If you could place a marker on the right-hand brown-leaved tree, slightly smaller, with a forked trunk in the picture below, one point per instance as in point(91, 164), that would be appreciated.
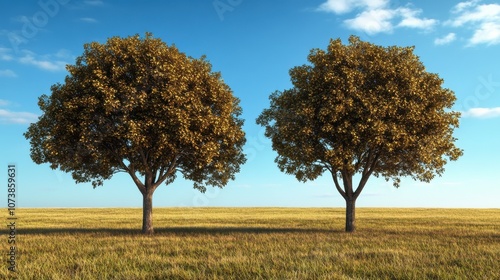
point(362, 109)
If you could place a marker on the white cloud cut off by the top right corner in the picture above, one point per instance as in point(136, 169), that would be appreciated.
point(483, 19)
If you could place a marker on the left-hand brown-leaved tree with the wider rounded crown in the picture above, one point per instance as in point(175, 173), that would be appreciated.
point(139, 106)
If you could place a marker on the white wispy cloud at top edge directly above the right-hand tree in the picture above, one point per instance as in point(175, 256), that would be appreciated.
point(376, 16)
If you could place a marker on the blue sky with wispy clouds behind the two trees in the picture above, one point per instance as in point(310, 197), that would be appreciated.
point(254, 44)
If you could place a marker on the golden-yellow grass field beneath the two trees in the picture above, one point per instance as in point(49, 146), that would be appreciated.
point(257, 243)
